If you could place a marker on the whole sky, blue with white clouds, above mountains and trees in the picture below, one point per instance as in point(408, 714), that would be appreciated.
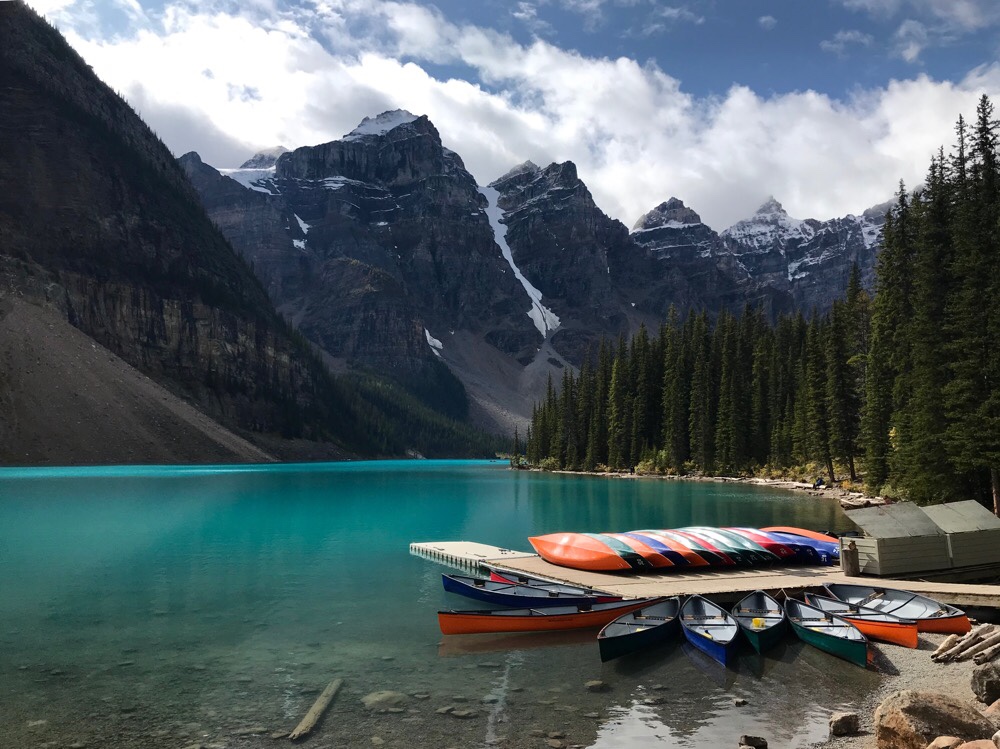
point(824, 104)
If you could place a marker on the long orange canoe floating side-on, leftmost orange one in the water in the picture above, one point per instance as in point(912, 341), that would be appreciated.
point(537, 620)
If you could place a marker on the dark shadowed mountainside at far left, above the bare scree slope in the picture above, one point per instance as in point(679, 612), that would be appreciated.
point(97, 219)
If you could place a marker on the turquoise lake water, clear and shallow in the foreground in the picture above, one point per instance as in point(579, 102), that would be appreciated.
point(166, 607)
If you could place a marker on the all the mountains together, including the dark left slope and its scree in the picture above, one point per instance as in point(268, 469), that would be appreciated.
point(362, 297)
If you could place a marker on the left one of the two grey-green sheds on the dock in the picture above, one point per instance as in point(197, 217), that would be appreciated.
point(900, 539)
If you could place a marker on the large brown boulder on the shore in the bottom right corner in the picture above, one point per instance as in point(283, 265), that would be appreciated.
point(912, 720)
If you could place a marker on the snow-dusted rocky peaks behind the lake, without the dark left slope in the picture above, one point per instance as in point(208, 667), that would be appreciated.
point(381, 248)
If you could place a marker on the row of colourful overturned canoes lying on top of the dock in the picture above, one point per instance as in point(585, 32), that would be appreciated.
point(687, 548)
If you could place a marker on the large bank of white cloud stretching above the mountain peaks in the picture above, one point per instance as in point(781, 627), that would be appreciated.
point(226, 84)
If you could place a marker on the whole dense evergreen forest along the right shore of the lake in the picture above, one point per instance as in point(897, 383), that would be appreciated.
point(900, 389)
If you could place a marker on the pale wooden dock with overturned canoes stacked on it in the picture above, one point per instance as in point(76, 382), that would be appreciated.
point(725, 586)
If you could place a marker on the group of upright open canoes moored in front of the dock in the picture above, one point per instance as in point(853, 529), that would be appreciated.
point(839, 622)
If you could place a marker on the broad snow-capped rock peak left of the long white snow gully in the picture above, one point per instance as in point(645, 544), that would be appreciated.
point(374, 246)
